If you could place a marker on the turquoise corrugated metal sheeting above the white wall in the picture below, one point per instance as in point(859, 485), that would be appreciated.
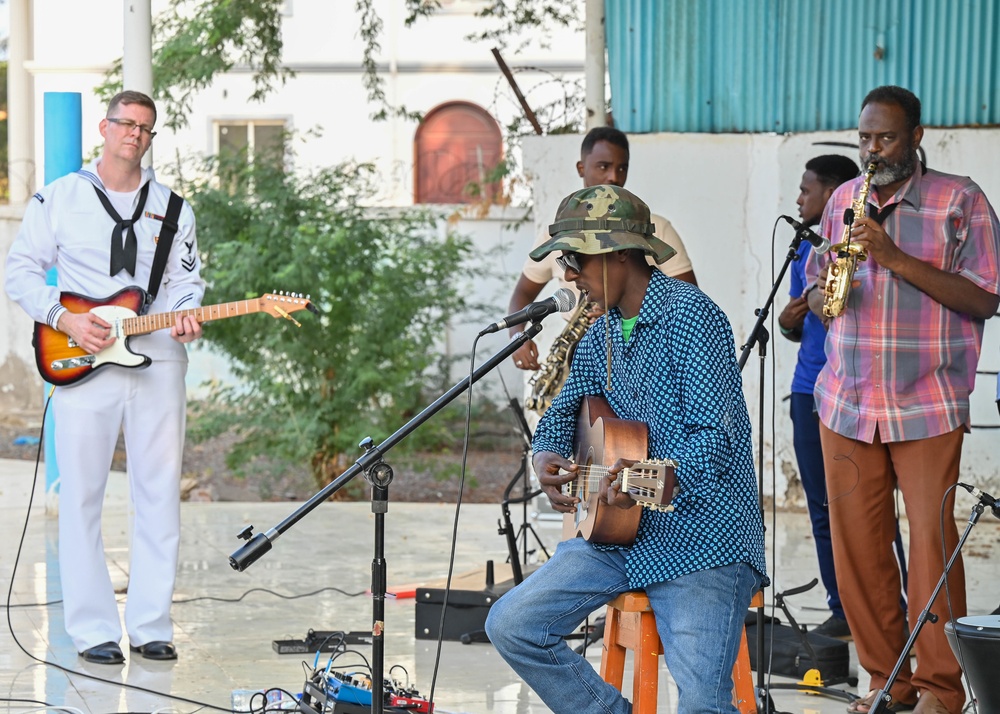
point(798, 65)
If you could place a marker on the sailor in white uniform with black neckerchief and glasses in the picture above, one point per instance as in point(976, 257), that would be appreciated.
point(70, 226)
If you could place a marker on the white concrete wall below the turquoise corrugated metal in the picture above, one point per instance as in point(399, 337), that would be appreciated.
point(723, 194)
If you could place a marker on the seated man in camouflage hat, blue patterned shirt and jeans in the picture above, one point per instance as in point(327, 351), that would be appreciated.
point(665, 357)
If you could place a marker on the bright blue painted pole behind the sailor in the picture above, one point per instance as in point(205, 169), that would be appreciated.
point(63, 155)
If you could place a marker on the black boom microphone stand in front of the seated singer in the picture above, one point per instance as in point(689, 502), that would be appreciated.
point(379, 475)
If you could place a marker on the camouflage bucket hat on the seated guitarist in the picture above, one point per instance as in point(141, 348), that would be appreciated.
point(601, 219)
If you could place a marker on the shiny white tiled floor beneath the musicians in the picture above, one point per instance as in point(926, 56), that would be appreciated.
point(227, 645)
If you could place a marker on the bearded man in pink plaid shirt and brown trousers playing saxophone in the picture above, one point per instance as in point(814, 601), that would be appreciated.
point(893, 398)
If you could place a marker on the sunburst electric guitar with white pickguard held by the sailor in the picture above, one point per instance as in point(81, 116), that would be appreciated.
point(61, 361)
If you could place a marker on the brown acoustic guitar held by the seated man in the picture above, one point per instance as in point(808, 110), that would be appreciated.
point(601, 439)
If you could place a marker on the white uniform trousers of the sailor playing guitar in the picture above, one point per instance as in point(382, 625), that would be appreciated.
point(150, 405)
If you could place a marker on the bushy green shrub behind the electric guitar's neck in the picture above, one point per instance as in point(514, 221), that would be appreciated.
point(384, 285)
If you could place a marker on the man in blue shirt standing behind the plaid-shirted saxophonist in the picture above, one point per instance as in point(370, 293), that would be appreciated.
point(822, 175)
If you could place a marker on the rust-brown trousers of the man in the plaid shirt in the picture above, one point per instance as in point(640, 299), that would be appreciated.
point(861, 480)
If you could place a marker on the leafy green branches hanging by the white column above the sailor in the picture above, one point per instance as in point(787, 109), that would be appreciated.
point(197, 39)
